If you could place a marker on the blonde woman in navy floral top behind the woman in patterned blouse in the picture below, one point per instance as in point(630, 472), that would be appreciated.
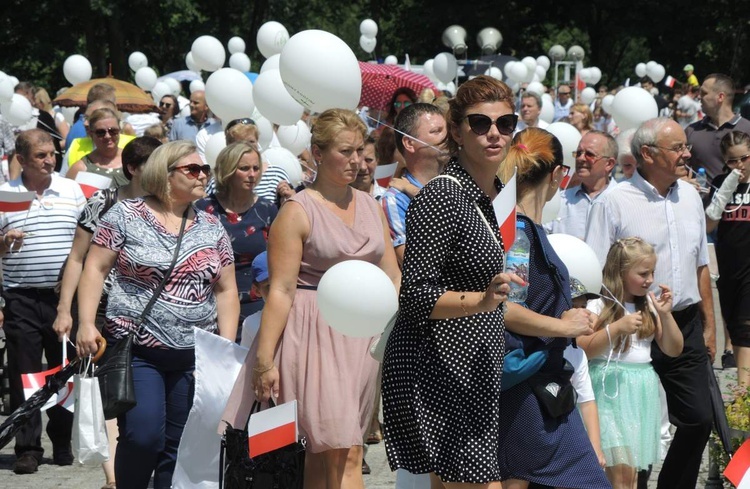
point(246, 217)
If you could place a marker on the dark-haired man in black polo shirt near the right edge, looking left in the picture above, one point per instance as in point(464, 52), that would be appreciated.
point(717, 95)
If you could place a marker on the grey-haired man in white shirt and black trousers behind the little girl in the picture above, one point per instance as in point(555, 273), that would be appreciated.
point(658, 206)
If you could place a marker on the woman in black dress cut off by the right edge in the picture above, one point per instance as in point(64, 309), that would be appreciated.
point(728, 211)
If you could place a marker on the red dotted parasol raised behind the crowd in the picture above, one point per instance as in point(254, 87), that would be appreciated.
point(380, 81)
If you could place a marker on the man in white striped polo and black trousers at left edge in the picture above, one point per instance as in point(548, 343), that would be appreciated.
point(34, 246)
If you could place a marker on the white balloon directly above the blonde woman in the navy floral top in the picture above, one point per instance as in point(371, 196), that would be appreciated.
point(229, 94)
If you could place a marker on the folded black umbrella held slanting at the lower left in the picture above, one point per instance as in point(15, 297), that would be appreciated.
point(33, 404)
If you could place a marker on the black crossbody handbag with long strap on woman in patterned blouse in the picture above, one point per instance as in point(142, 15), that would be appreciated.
point(115, 372)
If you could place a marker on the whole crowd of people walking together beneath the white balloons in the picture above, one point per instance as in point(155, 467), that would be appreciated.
point(176, 244)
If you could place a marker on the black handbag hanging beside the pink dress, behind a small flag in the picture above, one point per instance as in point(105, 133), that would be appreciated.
point(280, 469)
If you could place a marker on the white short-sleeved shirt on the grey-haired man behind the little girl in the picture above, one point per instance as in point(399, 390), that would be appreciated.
point(675, 225)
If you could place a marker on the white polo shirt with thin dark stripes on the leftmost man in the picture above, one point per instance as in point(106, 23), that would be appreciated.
point(49, 226)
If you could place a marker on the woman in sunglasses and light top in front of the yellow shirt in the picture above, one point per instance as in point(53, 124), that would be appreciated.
point(106, 159)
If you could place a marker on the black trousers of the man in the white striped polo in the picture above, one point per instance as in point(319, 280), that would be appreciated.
point(29, 315)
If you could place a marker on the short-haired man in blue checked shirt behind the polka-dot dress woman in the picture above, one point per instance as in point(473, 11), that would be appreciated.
point(420, 133)
